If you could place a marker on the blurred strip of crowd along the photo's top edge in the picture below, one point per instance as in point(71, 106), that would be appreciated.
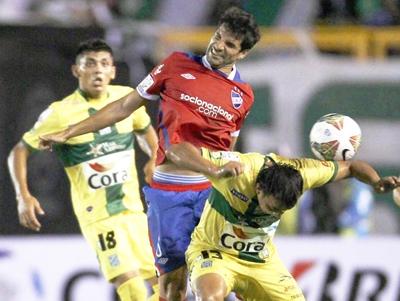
point(268, 13)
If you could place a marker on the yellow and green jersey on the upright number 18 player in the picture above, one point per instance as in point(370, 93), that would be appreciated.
point(101, 165)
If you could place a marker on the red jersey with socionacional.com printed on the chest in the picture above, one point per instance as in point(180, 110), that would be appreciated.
point(198, 104)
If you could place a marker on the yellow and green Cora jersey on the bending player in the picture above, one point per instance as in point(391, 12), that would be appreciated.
point(232, 220)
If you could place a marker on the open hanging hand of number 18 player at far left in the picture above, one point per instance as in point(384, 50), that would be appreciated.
point(28, 208)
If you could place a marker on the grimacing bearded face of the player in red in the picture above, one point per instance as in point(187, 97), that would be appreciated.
point(224, 50)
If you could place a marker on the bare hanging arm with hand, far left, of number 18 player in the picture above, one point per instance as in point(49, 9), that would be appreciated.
point(28, 205)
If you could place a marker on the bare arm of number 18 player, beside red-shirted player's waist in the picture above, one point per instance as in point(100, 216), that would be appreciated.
point(148, 143)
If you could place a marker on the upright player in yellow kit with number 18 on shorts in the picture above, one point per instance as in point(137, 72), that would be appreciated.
point(102, 173)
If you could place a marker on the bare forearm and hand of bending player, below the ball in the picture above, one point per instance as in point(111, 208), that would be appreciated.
point(364, 172)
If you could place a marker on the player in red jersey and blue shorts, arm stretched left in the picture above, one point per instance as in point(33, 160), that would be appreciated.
point(202, 101)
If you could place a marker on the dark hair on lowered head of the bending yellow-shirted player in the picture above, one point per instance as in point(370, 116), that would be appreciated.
point(281, 181)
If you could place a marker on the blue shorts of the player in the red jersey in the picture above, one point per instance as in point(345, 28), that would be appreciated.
point(172, 217)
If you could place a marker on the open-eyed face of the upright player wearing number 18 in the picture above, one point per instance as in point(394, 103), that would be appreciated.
point(94, 70)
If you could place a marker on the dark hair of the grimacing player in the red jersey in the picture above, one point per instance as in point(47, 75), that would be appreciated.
point(242, 24)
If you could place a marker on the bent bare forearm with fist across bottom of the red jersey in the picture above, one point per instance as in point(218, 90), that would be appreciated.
point(187, 156)
